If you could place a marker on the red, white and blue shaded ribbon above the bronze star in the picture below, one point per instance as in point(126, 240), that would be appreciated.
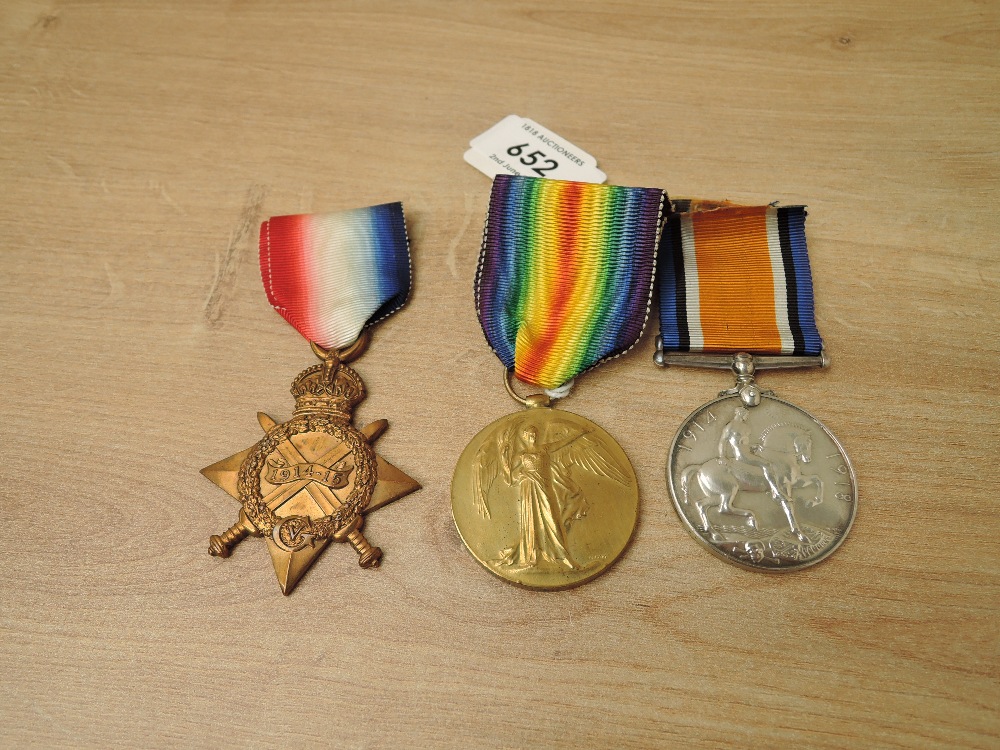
point(332, 275)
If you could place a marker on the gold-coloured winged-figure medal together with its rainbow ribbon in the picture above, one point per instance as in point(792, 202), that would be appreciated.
point(544, 498)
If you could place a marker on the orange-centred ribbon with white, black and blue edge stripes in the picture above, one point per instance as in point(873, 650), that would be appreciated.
point(737, 279)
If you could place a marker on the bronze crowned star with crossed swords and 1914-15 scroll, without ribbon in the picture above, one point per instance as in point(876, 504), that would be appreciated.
point(310, 480)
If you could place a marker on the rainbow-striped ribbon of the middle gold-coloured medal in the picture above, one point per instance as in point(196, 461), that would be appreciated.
point(565, 274)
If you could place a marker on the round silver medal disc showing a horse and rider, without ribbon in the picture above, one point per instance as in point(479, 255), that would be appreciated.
point(766, 487)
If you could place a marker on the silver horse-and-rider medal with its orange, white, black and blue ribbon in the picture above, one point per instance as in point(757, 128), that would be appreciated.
point(760, 482)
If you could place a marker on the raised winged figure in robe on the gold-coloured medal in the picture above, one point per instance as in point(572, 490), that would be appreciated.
point(542, 468)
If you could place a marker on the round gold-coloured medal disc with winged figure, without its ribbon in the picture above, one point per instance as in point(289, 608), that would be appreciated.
point(545, 499)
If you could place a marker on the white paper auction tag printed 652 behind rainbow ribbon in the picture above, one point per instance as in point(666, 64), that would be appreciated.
point(519, 146)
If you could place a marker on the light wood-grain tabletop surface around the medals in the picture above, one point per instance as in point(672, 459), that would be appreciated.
point(141, 145)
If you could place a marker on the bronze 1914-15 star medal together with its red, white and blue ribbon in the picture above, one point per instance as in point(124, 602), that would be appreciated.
point(313, 478)
